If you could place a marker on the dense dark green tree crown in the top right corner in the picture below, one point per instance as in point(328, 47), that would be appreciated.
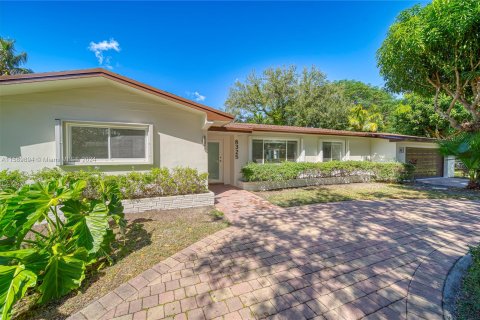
point(434, 51)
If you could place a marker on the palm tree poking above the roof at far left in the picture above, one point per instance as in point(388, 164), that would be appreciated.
point(10, 62)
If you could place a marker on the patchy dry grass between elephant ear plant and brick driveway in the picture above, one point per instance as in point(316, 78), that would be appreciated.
point(151, 237)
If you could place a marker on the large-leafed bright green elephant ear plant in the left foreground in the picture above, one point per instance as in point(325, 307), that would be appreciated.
point(77, 235)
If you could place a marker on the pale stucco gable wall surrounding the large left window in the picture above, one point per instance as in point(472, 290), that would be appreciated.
point(27, 126)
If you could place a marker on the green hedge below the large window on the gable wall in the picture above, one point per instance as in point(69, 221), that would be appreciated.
point(133, 185)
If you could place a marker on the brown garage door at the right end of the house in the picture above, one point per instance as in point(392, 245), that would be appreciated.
point(428, 162)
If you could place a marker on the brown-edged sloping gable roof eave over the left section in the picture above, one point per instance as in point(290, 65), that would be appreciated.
point(212, 114)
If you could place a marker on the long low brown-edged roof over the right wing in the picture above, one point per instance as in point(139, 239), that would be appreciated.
point(253, 127)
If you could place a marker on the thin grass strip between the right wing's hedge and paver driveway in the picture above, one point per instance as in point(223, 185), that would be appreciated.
point(360, 191)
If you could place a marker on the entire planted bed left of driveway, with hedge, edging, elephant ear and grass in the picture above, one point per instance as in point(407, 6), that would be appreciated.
point(85, 247)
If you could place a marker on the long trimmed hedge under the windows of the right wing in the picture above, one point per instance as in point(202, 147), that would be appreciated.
point(379, 171)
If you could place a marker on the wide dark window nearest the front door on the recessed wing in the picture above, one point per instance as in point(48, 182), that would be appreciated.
point(274, 151)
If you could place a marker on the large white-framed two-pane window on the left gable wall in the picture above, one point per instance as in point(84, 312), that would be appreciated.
point(98, 142)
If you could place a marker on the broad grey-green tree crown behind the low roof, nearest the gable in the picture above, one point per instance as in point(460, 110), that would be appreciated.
point(285, 96)
